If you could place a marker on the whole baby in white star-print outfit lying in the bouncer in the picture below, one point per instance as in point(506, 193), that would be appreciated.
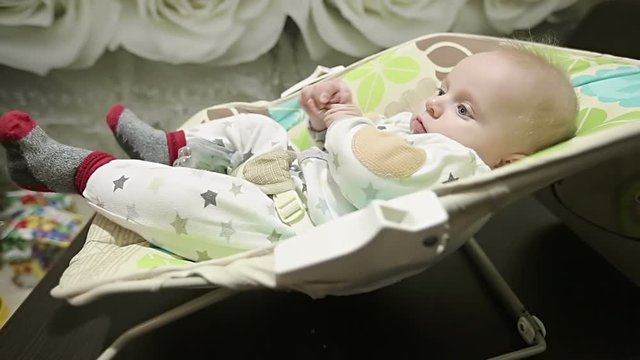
point(492, 109)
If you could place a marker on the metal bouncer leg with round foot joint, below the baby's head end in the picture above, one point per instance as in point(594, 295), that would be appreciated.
point(530, 327)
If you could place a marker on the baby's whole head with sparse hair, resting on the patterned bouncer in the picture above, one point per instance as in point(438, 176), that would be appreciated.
point(505, 104)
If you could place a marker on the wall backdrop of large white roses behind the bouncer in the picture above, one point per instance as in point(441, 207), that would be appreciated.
point(68, 61)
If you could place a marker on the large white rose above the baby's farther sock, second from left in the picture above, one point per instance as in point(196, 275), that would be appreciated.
point(225, 32)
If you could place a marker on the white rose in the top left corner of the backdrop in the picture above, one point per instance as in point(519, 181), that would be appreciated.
point(40, 35)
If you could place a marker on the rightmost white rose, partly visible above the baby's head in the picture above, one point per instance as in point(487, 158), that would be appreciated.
point(509, 15)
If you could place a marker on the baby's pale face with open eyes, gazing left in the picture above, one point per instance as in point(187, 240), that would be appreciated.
point(477, 104)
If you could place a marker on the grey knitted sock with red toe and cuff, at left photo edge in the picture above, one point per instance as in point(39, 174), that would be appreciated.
point(37, 162)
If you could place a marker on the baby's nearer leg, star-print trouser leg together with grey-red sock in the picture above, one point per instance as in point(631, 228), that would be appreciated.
point(195, 214)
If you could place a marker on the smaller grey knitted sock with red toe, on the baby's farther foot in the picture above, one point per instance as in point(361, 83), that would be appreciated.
point(141, 141)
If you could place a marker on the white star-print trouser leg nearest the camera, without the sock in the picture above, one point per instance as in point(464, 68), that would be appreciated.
point(193, 213)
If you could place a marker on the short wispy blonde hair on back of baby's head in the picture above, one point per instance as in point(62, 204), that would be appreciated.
point(553, 117)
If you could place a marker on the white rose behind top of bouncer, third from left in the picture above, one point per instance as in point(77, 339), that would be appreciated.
point(362, 27)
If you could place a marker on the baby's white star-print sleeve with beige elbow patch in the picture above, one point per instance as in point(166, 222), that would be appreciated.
point(367, 163)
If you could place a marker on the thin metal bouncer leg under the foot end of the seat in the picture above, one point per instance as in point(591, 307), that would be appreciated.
point(156, 322)
